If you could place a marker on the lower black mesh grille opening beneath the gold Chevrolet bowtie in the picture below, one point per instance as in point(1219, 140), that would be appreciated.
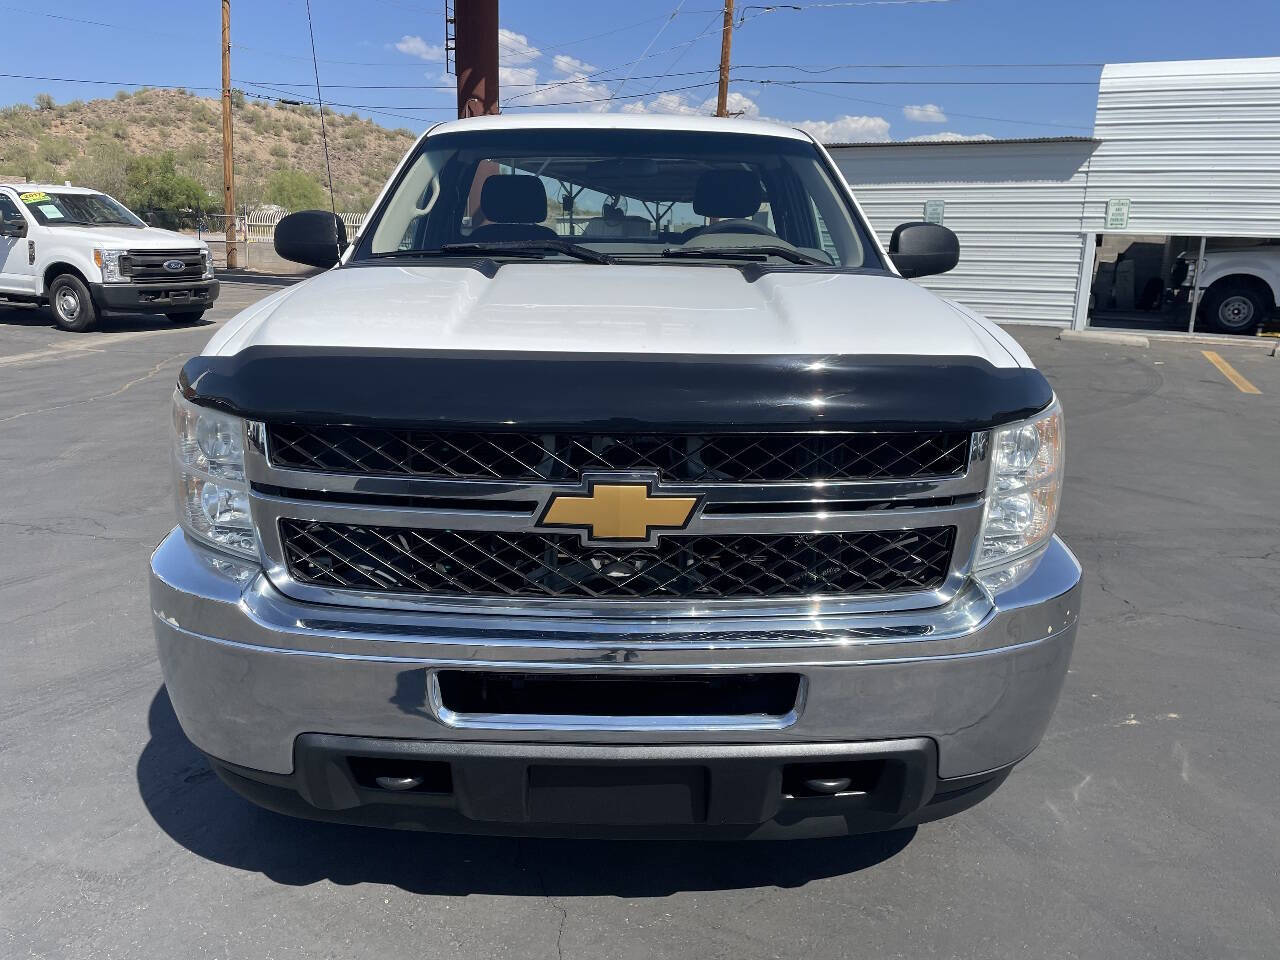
point(527, 565)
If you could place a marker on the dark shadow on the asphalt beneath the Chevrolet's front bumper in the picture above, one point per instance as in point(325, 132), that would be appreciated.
point(190, 804)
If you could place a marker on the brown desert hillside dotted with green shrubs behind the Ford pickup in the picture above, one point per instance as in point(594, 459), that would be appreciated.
point(163, 148)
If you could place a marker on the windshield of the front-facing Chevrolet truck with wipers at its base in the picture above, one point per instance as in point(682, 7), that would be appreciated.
point(632, 195)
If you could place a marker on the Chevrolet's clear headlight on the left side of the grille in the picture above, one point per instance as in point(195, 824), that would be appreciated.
point(209, 461)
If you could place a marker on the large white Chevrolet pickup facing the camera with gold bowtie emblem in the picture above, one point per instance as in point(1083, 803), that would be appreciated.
point(615, 482)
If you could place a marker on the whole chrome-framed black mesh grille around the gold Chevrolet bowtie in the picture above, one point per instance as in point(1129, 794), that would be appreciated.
point(796, 523)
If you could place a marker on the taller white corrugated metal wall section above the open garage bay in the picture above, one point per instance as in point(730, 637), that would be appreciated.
point(1195, 145)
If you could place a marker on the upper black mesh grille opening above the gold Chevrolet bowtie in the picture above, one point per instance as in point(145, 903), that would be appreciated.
point(540, 458)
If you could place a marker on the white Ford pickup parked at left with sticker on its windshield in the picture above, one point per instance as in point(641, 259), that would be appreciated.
point(86, 255)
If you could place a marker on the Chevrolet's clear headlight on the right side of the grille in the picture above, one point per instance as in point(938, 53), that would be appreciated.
point(1025, 491)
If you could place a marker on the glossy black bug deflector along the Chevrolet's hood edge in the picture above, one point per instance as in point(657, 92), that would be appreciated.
point(464, 391)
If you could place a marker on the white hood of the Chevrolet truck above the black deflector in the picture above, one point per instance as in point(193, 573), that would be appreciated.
point(597, 309)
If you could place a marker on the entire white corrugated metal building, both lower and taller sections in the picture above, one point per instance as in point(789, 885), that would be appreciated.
point(1185, 149)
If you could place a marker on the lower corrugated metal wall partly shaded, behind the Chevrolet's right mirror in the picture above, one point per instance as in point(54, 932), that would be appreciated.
point(1016, 207)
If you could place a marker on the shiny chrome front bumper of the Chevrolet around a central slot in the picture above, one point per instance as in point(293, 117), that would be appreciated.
point(250, 670)
